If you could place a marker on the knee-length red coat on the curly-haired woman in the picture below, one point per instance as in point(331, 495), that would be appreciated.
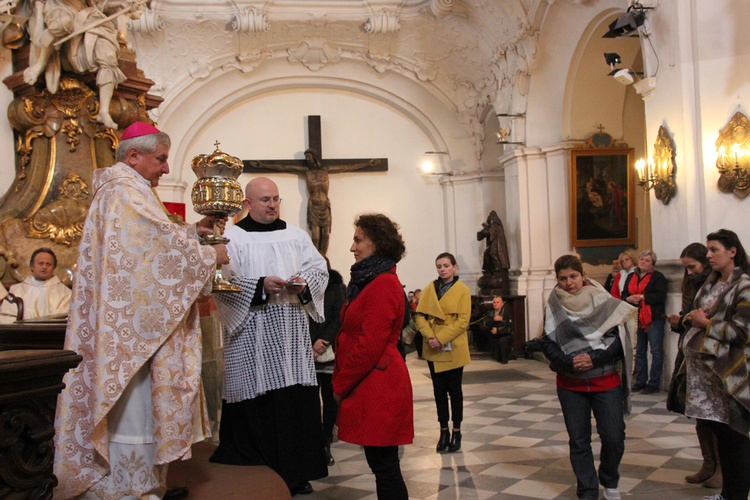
point(369, 373)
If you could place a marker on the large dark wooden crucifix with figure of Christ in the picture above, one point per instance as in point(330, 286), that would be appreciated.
point(316, 171)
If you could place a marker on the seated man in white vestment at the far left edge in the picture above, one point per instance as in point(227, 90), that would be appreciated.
point(42, 292)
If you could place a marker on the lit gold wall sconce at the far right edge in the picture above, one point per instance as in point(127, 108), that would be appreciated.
point(733, 158)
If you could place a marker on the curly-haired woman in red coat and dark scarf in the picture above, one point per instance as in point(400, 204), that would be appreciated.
point(370, 379)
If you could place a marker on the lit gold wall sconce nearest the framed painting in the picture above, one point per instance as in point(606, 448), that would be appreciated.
point(658, 173)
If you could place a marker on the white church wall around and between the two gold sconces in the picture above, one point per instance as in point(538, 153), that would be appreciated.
point(701, 83)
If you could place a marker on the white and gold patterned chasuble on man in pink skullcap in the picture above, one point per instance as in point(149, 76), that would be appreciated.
point(134, 302)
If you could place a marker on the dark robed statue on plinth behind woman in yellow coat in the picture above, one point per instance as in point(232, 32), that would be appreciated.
point(495, 262)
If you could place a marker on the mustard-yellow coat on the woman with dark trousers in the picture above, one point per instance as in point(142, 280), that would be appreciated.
point(447, 319)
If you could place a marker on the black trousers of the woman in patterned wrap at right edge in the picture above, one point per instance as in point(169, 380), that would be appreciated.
point(734, 453)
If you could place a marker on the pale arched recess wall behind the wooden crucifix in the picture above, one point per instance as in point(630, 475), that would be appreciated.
point(270, 123)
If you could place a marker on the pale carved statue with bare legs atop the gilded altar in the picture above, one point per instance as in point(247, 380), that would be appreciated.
point(79, 35)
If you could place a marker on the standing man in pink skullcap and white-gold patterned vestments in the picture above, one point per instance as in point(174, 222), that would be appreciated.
point(134, 403)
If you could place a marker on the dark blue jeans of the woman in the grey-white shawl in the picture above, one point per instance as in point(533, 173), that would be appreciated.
point(610, 424)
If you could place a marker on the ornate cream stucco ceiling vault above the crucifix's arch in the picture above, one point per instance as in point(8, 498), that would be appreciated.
point(469, 53)
